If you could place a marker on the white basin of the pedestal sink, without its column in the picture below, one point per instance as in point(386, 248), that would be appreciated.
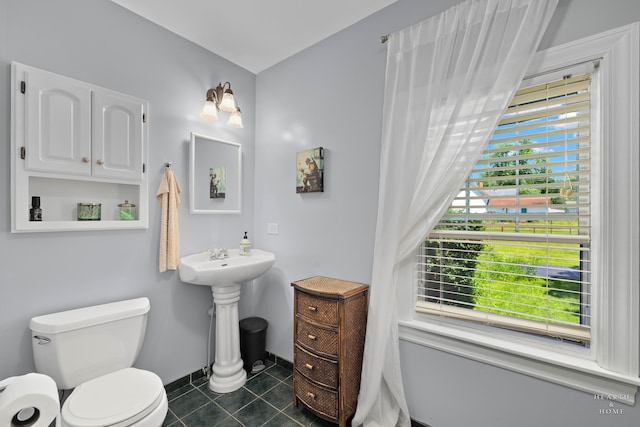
point(198, 269)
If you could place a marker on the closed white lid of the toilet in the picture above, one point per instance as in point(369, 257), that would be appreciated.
point(116, 399)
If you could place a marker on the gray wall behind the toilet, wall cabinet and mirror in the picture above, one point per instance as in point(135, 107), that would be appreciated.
point(101, 43)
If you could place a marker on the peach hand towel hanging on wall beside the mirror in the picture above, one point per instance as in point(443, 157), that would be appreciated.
point(169, 197)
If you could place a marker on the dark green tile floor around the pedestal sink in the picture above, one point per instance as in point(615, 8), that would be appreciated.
point(265, 400)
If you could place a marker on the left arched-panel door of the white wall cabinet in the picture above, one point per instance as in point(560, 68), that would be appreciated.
point(57, 123)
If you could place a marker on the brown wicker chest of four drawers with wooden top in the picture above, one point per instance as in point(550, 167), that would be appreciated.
point(330, 318)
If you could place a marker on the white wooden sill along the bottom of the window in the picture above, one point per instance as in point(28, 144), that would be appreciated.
point(570, 370)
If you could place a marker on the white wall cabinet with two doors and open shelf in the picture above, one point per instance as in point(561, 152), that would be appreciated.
point(73, 142)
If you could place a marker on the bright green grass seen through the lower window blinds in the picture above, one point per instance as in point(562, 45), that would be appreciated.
point(507, 279)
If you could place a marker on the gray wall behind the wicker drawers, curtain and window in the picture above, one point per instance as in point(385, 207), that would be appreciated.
point(331, 95)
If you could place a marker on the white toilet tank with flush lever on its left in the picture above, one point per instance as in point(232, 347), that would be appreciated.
point(75, 346)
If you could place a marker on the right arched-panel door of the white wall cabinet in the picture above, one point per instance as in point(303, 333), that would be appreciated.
point(117, 136)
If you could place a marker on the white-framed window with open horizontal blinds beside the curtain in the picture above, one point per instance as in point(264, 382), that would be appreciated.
point(601, 236)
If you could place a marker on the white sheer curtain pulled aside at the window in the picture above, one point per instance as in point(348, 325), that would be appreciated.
point(449, 80)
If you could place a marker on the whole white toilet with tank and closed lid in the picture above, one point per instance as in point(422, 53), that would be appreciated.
point(92, 350)
